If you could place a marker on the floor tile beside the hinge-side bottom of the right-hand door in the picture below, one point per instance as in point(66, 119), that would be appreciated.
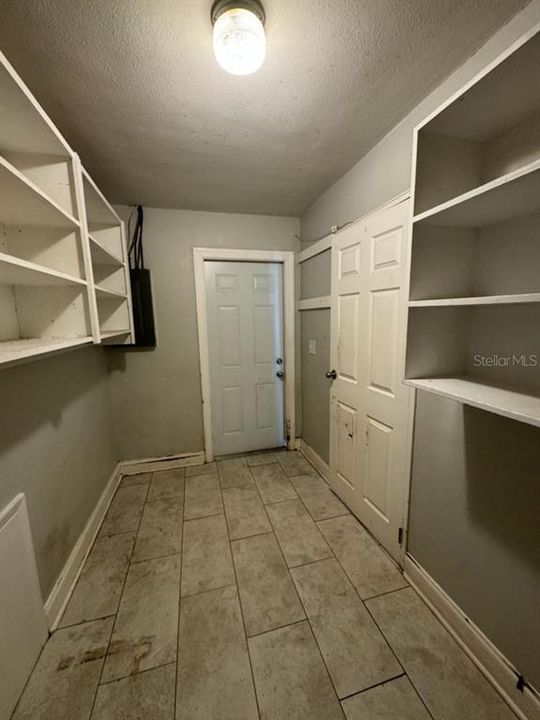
point(369, 568)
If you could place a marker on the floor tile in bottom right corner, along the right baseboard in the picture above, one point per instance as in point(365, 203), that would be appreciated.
point(447, 680)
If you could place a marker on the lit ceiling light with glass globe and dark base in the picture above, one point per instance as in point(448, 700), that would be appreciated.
point(239, 37)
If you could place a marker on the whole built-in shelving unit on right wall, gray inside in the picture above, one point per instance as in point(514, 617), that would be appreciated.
point(474, 308)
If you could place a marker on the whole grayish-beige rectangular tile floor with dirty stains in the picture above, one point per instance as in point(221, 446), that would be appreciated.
point(244, 589)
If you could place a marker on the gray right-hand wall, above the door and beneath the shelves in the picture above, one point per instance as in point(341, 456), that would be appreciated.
point(470, 525)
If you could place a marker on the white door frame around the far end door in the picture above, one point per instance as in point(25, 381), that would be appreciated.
point(286, 258)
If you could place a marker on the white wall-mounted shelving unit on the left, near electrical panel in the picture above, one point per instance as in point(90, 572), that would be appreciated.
point(49, 301)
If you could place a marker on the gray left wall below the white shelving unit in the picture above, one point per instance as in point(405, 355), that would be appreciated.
point(56, 445)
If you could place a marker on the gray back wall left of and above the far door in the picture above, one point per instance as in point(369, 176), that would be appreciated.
point(156, 394)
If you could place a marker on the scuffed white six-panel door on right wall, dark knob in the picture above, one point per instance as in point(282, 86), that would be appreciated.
point(371, 409)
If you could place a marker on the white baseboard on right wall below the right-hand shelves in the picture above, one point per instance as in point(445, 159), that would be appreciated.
point(489, 660)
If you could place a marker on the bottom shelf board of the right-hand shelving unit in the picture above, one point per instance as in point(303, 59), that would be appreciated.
point(511, 403)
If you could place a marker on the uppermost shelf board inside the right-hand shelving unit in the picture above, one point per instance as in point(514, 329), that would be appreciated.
point(513, 194)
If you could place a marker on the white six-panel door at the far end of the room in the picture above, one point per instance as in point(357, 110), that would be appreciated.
point(245, 339)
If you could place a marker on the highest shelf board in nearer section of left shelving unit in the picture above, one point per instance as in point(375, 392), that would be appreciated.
point(23, 203)
